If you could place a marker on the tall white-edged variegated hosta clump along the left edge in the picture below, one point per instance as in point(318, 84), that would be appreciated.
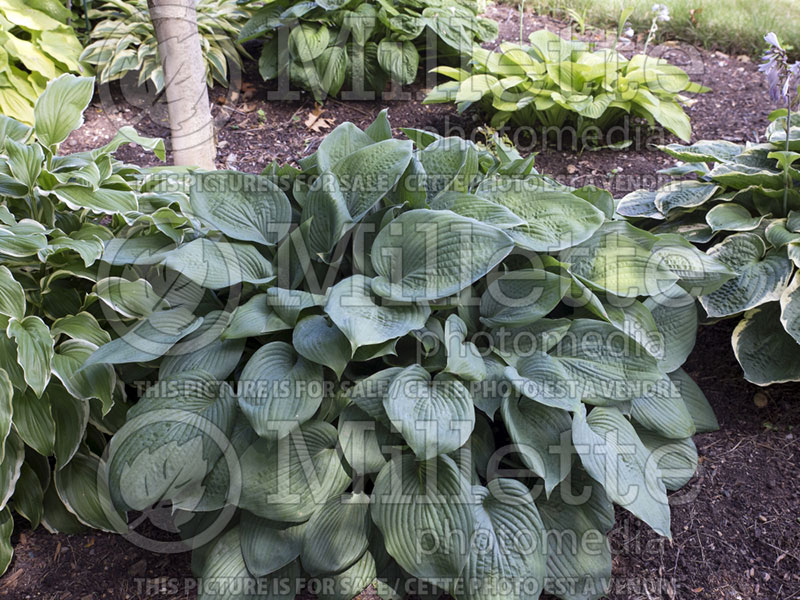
point(56, 213)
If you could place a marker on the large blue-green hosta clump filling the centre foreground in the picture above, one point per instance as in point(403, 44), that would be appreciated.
point(383, 365)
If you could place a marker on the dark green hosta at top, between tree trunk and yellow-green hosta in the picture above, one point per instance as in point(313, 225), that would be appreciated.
point(362, 44)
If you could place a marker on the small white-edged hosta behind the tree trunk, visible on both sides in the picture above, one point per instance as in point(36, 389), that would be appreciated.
point(124, 41)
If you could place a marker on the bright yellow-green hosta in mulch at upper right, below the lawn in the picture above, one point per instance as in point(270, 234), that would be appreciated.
point(555, 83)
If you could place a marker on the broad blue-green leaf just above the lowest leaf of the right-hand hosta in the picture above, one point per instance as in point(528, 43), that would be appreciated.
point(762, 276)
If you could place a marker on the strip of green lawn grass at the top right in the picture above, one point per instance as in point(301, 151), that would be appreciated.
point(732, 26)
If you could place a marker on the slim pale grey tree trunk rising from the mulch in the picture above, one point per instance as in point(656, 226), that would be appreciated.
point(190, 121)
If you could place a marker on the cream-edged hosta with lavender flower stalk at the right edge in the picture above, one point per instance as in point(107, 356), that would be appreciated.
point(743, 201)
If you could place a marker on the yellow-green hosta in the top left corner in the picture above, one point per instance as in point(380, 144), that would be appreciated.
point(36, 46)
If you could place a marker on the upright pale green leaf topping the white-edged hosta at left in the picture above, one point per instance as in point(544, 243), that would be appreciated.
point(59, 109)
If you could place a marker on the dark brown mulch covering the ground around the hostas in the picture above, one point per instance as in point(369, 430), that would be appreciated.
point(736, 525)
